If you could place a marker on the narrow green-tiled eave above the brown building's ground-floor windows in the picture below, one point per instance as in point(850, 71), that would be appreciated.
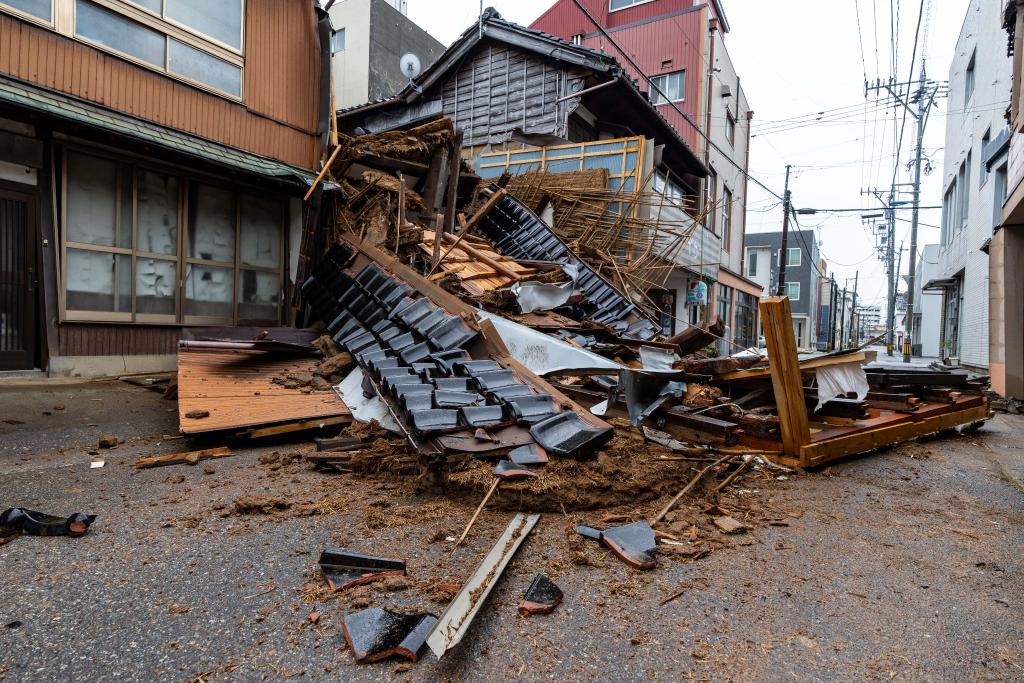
point(72, 109)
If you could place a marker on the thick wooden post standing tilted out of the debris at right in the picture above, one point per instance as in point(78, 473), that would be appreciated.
point(777, 317)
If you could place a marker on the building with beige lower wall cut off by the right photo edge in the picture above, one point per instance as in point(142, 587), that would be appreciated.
point(1006, 277)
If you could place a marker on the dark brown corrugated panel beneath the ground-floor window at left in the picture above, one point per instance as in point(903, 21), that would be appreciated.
point(89, 339)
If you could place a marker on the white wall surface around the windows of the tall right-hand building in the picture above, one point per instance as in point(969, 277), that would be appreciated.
point(969, 118)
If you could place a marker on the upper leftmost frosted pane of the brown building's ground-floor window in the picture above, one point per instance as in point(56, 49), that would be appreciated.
point(93, 203)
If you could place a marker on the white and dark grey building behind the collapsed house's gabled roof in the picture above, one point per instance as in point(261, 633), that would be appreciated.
point(368, 40)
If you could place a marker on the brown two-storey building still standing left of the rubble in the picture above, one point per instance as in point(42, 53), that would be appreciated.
point(154, 155)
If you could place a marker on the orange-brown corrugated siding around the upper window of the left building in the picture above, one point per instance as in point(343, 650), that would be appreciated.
point(285, 92)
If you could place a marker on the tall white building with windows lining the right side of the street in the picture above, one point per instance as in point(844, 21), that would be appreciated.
point(974, 183)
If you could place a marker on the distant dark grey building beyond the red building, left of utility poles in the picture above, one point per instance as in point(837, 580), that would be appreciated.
point(803, 279)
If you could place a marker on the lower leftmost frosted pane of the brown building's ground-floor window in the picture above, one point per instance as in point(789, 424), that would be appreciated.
point(99, 282)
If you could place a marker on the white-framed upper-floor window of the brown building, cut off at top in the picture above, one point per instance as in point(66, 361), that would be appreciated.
point(198, 41)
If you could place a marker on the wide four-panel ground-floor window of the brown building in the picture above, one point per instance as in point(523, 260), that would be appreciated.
point(143, 245)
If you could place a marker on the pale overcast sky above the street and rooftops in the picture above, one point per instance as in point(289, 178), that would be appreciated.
point(795, 60)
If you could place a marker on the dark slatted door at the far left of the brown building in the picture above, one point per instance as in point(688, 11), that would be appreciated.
point(19, 301)
